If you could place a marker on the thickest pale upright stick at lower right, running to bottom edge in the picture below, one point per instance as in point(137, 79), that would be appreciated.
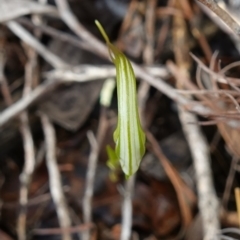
point(207, 200)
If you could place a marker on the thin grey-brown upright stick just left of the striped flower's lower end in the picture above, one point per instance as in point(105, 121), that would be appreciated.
point(91, 172)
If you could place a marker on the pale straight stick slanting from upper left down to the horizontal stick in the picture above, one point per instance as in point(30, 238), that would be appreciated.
point(28, 38)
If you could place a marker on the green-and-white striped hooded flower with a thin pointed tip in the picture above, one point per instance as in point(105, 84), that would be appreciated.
point(129, 135)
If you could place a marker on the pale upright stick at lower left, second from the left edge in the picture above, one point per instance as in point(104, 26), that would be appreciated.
point(55, 184)
